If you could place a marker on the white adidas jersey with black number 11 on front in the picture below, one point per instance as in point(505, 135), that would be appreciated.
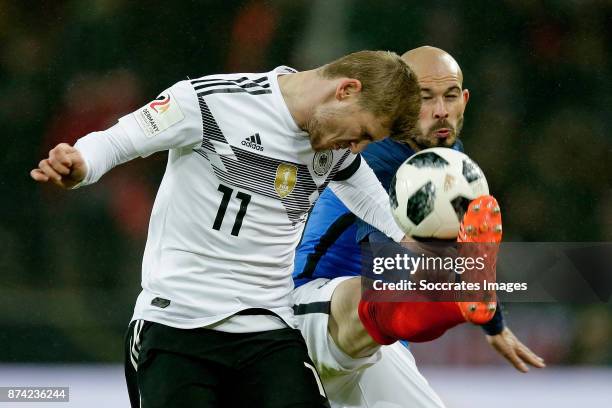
point(240, 179)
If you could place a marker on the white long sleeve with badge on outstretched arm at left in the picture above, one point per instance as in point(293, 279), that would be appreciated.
point(172, 120)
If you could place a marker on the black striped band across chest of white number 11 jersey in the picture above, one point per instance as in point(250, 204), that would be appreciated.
point(256, 173)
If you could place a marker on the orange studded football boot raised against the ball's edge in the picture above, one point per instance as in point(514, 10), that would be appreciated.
point(481, 223)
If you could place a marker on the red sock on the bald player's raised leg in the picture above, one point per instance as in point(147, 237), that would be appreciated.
point(417, 322)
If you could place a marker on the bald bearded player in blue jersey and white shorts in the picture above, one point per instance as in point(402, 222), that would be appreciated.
point(328, 264)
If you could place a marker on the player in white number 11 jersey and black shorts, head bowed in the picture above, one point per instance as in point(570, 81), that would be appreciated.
point(248, 156)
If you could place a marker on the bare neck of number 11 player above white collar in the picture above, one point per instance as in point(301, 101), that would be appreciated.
point(302, 92)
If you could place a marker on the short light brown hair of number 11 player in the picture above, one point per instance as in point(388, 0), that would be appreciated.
point(389, 88)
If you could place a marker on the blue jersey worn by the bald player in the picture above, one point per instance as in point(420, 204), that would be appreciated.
point(330, 244)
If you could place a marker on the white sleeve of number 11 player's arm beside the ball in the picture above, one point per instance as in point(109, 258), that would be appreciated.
point(365, 197)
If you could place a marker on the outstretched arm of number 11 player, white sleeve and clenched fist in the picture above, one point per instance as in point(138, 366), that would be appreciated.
point(171, 121)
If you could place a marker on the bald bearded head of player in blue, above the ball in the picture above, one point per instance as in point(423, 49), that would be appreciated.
point(443, 98)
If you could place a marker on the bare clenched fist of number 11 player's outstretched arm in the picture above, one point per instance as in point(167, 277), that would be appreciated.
point(64, 167)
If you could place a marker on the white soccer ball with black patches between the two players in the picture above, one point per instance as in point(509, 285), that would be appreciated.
point(431, 191)
